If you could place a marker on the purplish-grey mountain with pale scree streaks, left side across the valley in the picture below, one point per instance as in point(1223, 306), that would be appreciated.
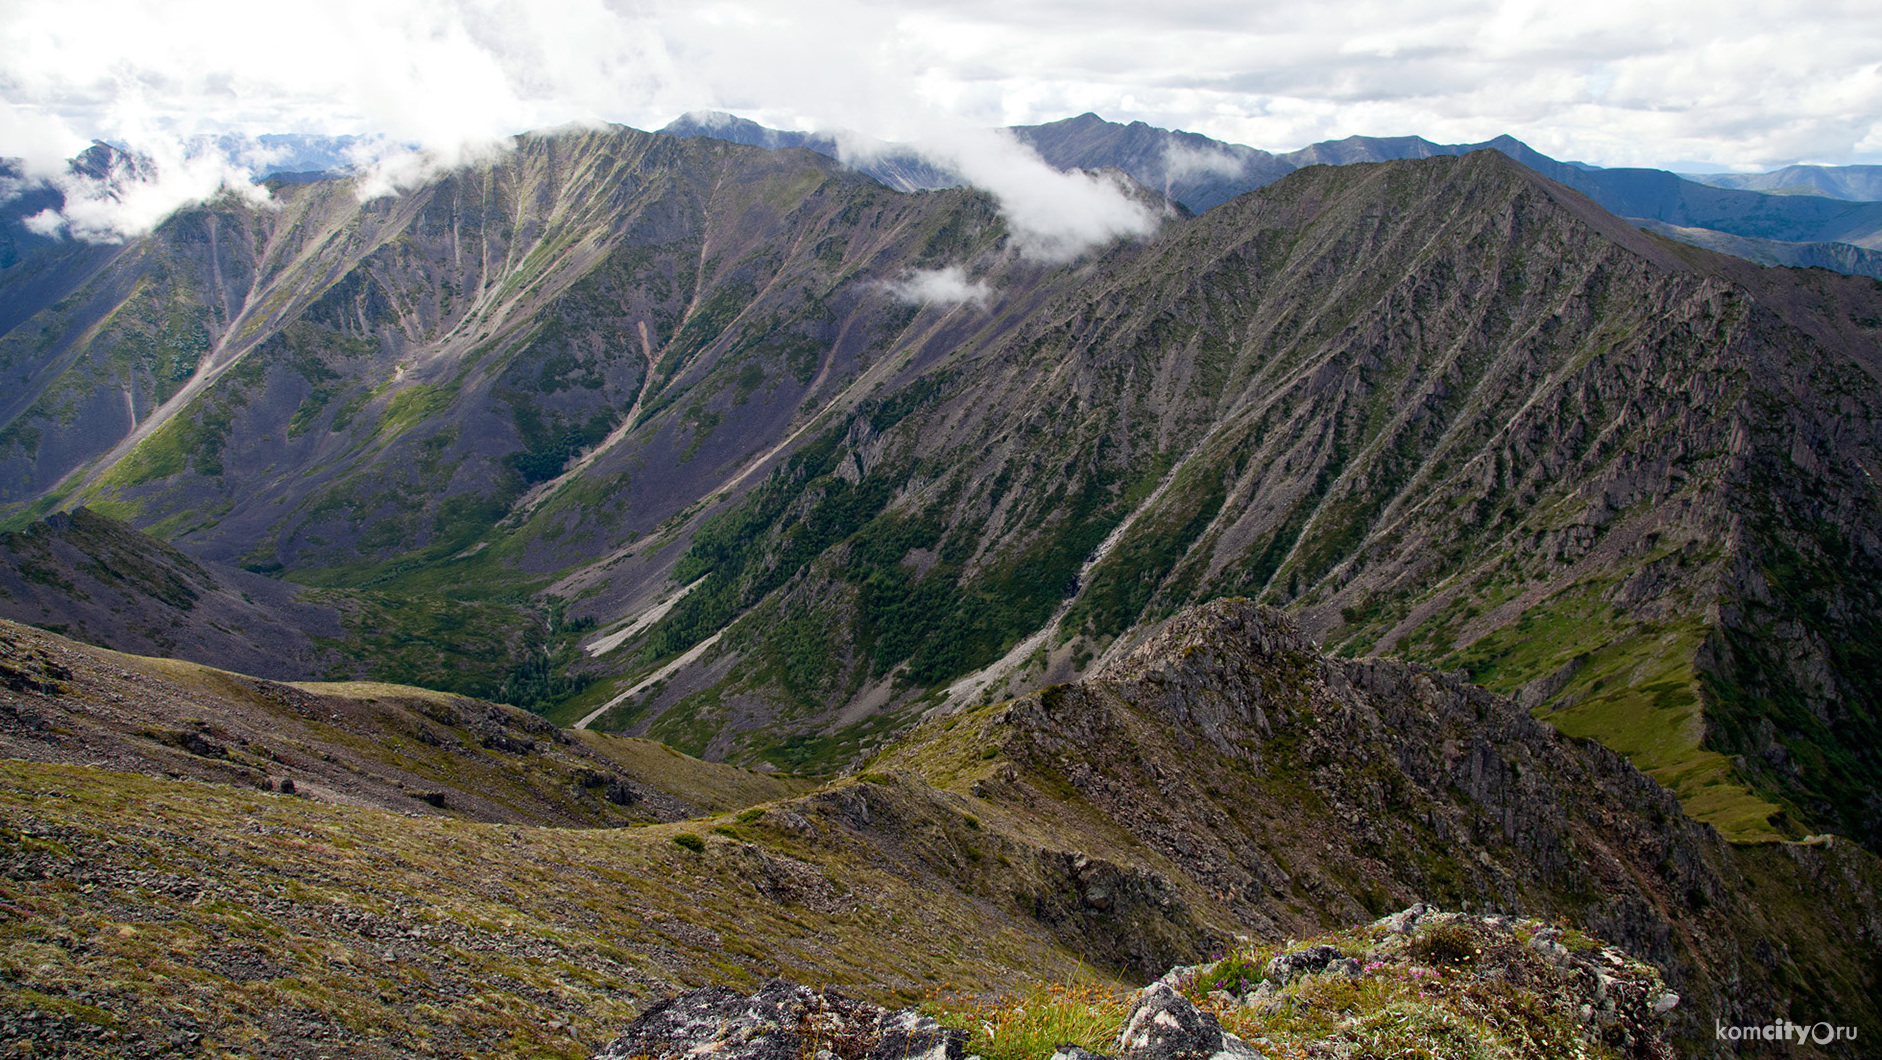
point(330, 379)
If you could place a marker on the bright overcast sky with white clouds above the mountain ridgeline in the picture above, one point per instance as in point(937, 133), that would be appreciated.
point(1619, 84)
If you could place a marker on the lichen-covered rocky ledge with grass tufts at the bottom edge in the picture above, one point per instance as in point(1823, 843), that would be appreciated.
point(1416, 984)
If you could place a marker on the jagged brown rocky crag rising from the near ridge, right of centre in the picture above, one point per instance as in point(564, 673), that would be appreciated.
point(1301, 792)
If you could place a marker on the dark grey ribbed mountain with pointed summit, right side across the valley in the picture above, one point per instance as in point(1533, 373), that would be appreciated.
point(1435, 408)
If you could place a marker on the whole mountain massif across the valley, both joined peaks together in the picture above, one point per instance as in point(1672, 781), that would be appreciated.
point(1441, 410)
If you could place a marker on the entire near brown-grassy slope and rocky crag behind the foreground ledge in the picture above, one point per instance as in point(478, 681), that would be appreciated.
point(1217, 780)
